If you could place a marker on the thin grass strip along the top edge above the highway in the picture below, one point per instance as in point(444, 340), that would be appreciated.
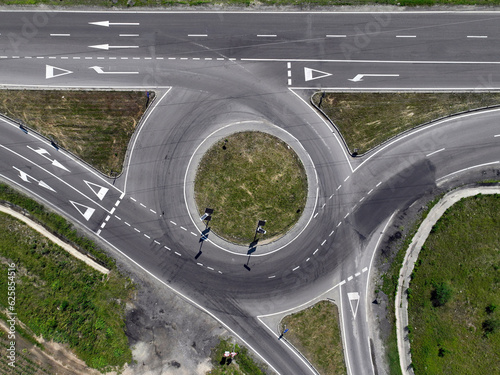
point(245, 3)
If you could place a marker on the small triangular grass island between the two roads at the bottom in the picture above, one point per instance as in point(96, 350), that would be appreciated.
point(315, 332)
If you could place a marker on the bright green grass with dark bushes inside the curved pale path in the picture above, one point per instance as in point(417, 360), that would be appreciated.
point(454, 290)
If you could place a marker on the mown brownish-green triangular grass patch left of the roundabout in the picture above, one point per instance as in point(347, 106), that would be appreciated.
point(94, 125)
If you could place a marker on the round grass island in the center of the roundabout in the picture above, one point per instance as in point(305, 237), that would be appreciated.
point(247, 177)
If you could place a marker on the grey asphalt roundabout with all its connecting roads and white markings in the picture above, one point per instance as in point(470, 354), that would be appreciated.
point(220, 72)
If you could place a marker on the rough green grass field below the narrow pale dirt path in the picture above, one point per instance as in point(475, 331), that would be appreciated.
point(63, 299)
